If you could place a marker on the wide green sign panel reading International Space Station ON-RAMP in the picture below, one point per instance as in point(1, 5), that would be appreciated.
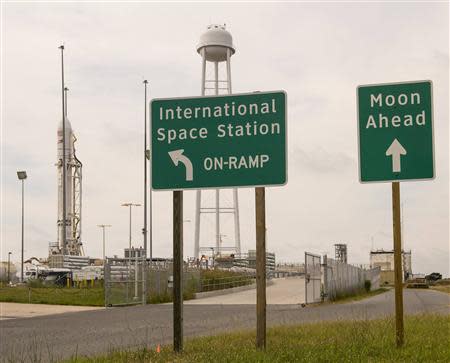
point(219, 141)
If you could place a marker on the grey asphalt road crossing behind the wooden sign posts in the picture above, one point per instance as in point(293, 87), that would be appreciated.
point(54, 337)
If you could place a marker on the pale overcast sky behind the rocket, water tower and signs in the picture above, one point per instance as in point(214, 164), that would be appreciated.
point(317, 52)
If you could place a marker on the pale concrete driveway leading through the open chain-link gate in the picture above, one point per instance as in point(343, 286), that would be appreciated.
point(282, 291)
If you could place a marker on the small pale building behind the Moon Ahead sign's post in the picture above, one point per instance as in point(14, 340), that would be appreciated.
point(385, 260)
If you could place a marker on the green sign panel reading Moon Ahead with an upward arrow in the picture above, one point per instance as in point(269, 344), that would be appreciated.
point(395, 134)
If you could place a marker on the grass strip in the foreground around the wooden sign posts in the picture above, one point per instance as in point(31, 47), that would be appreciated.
point(427, 339)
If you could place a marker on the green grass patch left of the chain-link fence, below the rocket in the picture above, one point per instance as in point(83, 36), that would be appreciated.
point(53, 295)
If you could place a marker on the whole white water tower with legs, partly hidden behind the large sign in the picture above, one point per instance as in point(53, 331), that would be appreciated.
point(216, 48)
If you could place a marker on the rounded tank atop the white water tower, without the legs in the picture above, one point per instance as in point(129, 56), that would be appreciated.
point(216, 40)
